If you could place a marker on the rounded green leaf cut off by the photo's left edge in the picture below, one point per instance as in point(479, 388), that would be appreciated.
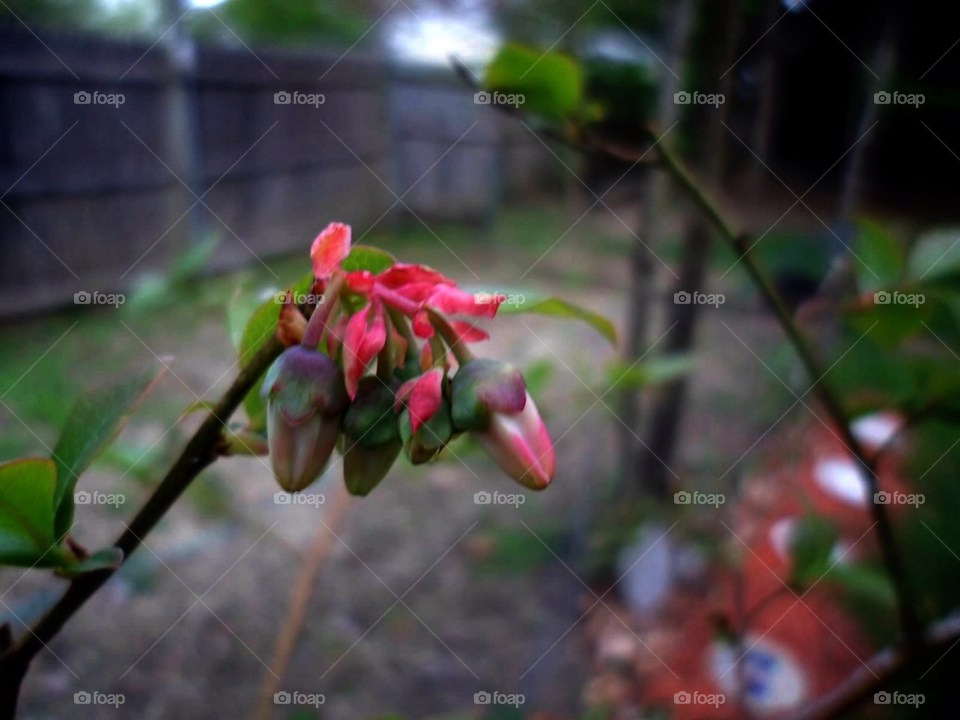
point(26, 512)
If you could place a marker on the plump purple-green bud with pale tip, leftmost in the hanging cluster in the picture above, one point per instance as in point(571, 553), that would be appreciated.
point(306, 398)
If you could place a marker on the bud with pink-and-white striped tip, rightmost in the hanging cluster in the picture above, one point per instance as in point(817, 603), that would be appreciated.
point(490, 399)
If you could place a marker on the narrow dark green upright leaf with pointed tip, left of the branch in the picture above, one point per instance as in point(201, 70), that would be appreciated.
point(96, 420)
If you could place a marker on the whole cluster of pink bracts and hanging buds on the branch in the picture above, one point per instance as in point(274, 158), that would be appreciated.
point(380, 367)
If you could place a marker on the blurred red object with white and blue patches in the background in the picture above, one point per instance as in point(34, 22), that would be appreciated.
point(799, 643)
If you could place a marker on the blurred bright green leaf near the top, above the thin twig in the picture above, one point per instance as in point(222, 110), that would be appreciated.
point(551, 83)
